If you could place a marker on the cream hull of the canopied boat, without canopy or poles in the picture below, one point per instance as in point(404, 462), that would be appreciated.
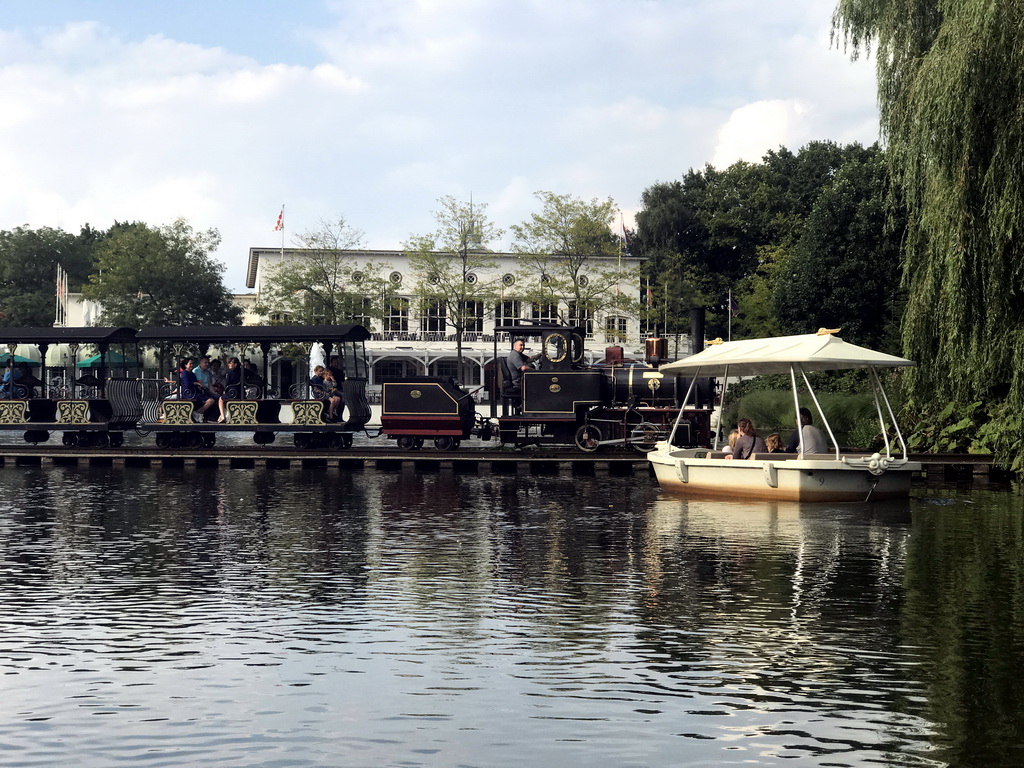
point(819, 480)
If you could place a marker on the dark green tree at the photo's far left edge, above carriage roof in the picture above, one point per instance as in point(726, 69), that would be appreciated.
point(28, 271)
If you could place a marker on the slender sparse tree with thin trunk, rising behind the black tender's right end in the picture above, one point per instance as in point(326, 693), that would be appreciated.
point(454, 269)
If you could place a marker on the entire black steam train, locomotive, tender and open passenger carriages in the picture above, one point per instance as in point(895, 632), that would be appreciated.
point(563, 401)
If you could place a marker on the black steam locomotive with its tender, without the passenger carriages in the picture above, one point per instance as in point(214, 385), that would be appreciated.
point(624, 404)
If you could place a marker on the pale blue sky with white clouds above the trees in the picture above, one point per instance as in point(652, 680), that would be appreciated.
point(225, 112)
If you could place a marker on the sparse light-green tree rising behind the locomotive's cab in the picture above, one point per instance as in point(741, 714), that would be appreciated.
point(571, 260)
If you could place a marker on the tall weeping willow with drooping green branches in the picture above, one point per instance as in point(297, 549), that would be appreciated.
point(951, 76)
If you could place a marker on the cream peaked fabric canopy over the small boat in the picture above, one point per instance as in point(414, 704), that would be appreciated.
point(821, 352)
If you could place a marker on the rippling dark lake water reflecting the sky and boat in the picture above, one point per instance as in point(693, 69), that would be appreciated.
point(290, 618)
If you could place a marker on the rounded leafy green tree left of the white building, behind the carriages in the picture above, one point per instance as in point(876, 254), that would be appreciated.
point(147, 276)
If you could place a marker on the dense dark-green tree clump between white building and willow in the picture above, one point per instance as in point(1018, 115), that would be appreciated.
point(742, 230)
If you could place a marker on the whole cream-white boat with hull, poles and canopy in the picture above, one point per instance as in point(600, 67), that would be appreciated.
point(835, 477)
